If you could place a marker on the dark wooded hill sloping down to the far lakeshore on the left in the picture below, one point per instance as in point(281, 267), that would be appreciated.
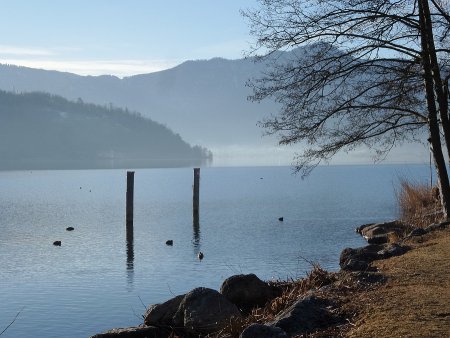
point(43, 131)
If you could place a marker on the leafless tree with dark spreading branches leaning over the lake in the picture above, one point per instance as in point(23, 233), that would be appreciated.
point(369, 72)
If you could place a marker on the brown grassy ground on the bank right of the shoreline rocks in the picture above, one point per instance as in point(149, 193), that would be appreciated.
point(414, 301)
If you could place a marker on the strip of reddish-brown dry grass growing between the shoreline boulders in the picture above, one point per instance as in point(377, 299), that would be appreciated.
point(291, 291)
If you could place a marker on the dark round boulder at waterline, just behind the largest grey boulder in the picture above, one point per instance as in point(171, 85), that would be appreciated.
point(247, 291)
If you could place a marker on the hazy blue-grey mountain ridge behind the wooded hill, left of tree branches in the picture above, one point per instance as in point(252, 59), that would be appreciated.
point(205, 101)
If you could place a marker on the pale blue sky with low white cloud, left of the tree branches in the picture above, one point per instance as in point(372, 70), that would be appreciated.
point(120, 37)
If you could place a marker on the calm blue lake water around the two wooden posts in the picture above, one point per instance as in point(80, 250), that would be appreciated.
point(97, 280)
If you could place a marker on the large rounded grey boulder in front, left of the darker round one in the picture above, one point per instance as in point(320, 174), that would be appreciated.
point(204, 310)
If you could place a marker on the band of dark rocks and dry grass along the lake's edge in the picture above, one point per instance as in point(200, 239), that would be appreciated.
point(316, 303)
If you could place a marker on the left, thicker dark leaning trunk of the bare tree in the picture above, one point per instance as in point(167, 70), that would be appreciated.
point(433, 125)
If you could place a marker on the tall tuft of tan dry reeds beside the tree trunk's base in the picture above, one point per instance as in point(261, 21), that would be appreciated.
point(418, 204)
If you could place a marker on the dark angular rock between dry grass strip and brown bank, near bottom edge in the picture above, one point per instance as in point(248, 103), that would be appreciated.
point(306, 315)
